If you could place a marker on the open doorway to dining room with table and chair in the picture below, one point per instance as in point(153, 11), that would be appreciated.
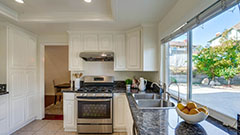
point(56, 79)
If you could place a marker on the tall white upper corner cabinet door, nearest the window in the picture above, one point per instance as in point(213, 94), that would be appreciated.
point(134, 51)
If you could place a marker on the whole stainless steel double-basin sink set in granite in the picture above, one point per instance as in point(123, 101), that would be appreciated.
point(151, 101)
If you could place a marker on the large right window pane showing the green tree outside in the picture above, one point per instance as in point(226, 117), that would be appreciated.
point(216, 59)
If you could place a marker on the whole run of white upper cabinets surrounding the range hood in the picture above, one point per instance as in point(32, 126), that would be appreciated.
point(135, 50)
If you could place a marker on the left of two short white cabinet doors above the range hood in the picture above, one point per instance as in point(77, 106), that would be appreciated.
point(90, 42)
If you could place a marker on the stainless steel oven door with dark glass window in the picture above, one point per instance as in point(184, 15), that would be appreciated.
point(94, 110)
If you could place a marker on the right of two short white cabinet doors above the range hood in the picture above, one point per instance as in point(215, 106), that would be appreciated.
point(105, 42)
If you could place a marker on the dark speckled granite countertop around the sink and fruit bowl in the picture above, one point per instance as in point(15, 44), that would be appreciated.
point(167, 122)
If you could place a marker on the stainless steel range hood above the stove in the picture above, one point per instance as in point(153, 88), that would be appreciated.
point(97, 56)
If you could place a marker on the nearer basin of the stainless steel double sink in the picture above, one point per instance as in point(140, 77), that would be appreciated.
point(154, 104)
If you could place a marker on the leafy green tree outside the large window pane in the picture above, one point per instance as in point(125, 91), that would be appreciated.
point(222, 60)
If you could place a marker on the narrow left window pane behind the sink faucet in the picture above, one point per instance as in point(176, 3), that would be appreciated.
point(178, 65)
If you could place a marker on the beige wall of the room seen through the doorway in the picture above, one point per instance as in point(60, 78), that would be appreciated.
point(56, 67)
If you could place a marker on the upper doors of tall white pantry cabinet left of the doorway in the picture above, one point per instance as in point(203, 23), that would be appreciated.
point(22, 49)
